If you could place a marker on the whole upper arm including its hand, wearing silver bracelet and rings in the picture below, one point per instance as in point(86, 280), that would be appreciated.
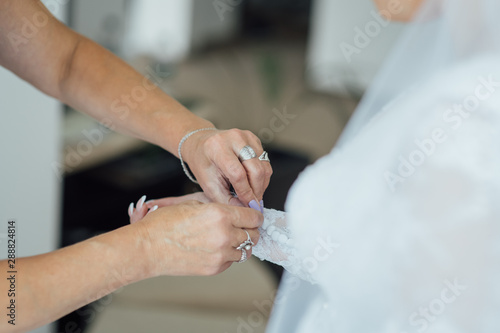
point(84, 75)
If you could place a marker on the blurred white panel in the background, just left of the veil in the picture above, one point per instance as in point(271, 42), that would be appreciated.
point(335, 24)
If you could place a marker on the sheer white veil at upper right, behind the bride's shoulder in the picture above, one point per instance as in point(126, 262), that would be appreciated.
point(443, 34)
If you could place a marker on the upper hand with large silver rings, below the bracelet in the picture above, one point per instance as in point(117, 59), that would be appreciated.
point(213, 158)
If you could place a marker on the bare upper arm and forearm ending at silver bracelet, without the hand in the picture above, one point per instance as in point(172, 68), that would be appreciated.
point(86, 76)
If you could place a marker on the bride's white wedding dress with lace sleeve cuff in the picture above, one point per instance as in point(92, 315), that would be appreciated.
point(398, 228)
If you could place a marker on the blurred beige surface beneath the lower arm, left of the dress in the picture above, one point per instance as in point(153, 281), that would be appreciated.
point(237, 300)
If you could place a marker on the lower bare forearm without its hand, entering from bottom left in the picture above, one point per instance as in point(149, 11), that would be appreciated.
point(51, 285)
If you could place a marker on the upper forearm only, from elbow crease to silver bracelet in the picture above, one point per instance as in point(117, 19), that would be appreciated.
point(103, 86)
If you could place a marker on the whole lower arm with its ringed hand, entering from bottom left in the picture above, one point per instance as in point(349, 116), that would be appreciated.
point(188, 239)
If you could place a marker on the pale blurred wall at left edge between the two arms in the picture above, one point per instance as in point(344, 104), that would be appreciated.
point(29, 143)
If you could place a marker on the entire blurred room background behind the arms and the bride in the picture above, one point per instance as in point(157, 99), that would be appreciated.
point(291, 71)
